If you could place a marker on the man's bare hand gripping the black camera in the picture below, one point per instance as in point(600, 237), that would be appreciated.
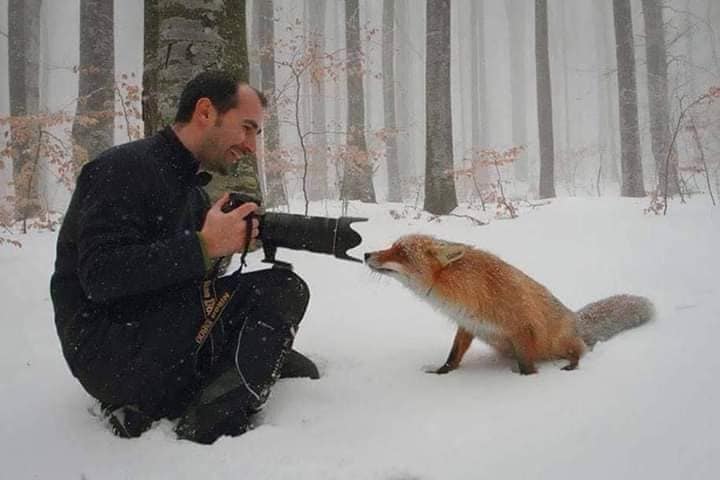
point(224, 233)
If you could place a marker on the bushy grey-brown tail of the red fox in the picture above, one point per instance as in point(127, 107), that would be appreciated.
point(598, 321)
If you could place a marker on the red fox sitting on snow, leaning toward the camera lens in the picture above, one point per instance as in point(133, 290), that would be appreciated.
point(494, 301)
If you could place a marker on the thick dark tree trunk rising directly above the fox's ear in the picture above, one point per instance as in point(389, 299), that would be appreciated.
point(440, 197)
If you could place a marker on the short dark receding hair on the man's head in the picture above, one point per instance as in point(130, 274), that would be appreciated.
point(219, 87)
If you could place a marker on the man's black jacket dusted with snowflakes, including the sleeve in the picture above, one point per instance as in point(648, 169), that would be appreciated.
point(128, 241)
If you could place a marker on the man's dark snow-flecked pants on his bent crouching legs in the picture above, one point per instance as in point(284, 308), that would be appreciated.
point(155, 364)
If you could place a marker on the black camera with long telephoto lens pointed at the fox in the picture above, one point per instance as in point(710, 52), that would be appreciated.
point(332, 236)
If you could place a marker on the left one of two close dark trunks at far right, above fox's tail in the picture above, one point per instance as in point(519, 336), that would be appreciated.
point(631, 164)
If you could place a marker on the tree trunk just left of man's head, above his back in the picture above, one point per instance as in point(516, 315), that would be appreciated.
point(94, 125)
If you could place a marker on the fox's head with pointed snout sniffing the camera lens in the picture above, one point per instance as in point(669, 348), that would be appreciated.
point(416, 258)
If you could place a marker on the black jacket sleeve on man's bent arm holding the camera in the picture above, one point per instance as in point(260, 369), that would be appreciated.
point(115, 257)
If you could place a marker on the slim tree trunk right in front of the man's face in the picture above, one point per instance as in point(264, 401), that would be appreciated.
point(273, 168)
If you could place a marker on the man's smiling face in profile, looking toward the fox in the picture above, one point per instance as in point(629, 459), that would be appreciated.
point(232, 134)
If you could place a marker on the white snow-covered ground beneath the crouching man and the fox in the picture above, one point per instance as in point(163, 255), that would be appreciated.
point(643, 405)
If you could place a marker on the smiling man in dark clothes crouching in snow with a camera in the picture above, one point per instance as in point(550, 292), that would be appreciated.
point(143, 323)
